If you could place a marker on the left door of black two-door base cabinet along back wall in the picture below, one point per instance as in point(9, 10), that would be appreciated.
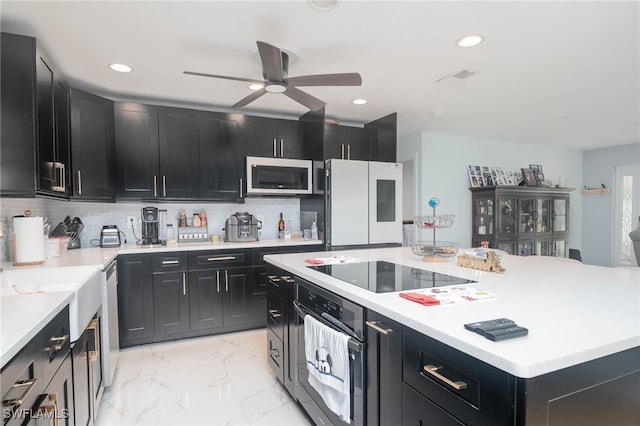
point(205, 299)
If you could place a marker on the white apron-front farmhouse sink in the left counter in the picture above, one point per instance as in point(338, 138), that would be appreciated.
point(83, 281)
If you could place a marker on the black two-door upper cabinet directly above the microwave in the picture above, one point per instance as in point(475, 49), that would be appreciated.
point(267, 137)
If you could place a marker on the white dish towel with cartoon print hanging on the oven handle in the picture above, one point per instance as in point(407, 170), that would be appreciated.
point(327, 356)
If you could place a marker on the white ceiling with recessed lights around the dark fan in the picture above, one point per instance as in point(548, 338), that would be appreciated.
point(554, 73)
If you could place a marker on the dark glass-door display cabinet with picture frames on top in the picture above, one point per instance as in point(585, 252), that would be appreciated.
point(522, 220)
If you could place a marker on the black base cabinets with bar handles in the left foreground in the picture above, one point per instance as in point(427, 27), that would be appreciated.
point(37, 384)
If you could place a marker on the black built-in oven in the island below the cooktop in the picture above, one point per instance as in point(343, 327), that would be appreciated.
point(345, 317)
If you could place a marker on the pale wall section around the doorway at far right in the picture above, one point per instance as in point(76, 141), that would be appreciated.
point(597, 220)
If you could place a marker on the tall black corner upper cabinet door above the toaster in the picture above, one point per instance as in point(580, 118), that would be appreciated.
point(92, 147)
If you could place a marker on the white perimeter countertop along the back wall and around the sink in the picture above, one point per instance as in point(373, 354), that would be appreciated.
point(22, 316)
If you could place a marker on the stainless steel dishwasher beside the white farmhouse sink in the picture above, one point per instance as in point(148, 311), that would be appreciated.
point(110, 334)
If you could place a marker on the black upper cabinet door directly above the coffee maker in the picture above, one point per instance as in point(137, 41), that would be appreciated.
point(136, 136)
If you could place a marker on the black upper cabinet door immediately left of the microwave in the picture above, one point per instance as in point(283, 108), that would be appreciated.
point(220, 165)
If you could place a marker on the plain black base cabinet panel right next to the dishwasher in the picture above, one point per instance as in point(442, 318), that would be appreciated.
point(135, 297)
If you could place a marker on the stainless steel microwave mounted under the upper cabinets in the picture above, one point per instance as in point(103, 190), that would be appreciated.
point(279, 176)
